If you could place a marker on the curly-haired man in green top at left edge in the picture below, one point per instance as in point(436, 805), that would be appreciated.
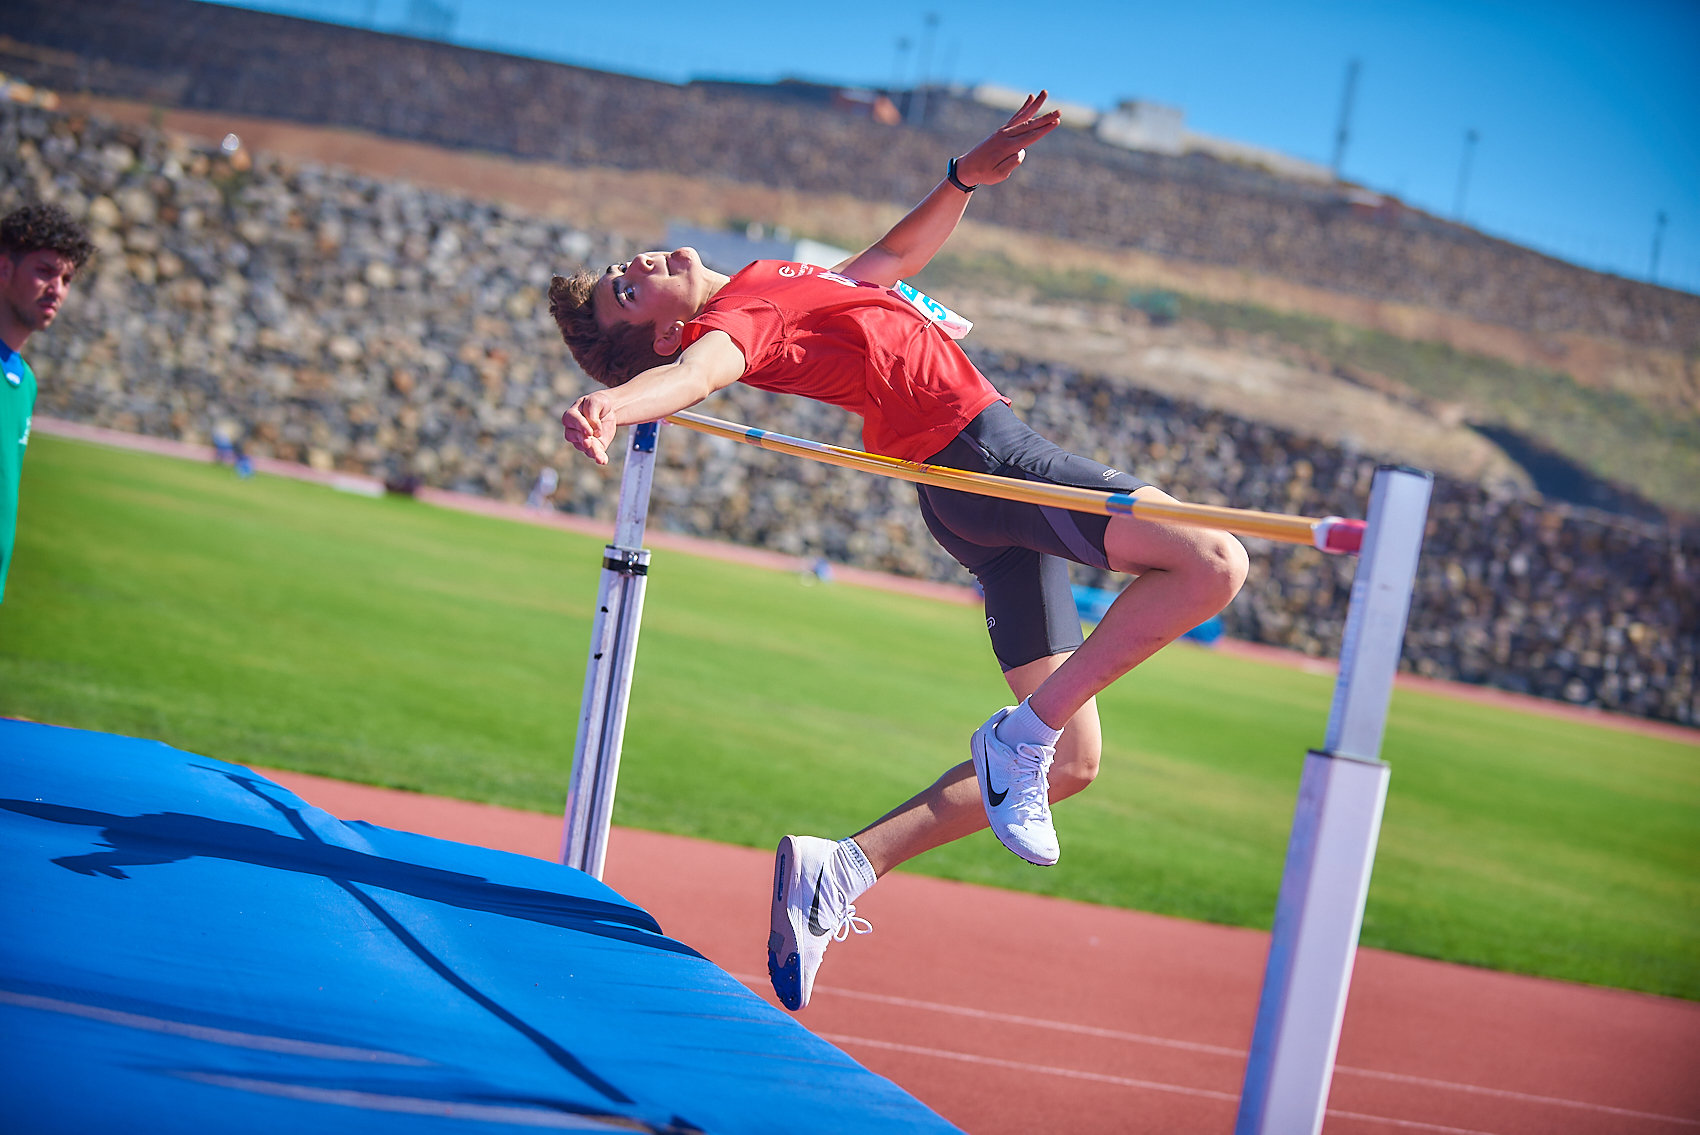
point(42, 249)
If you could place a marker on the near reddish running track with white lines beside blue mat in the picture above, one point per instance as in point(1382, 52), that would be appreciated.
point(1012, 1014)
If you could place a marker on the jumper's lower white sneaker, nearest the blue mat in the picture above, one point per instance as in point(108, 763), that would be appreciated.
point(807, 918)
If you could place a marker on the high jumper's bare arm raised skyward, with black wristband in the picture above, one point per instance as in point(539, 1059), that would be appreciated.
point(914, 240)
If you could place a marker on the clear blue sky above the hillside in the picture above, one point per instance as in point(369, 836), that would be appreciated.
point(1587, 115)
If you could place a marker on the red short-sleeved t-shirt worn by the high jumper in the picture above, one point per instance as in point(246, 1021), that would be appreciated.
point(812, 332)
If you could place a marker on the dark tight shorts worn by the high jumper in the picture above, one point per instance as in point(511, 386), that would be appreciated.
point(1017, 551)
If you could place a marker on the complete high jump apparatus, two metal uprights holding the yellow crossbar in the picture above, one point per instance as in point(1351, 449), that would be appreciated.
point(1342, 791)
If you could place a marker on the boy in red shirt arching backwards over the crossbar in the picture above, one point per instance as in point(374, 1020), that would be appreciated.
point(664, 332)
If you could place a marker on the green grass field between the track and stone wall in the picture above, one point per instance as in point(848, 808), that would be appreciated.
point(281, 624)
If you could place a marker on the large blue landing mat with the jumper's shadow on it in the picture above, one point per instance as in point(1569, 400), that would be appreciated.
point(190, 947)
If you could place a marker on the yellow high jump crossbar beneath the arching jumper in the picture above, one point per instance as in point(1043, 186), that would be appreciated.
point(1330, 534)
